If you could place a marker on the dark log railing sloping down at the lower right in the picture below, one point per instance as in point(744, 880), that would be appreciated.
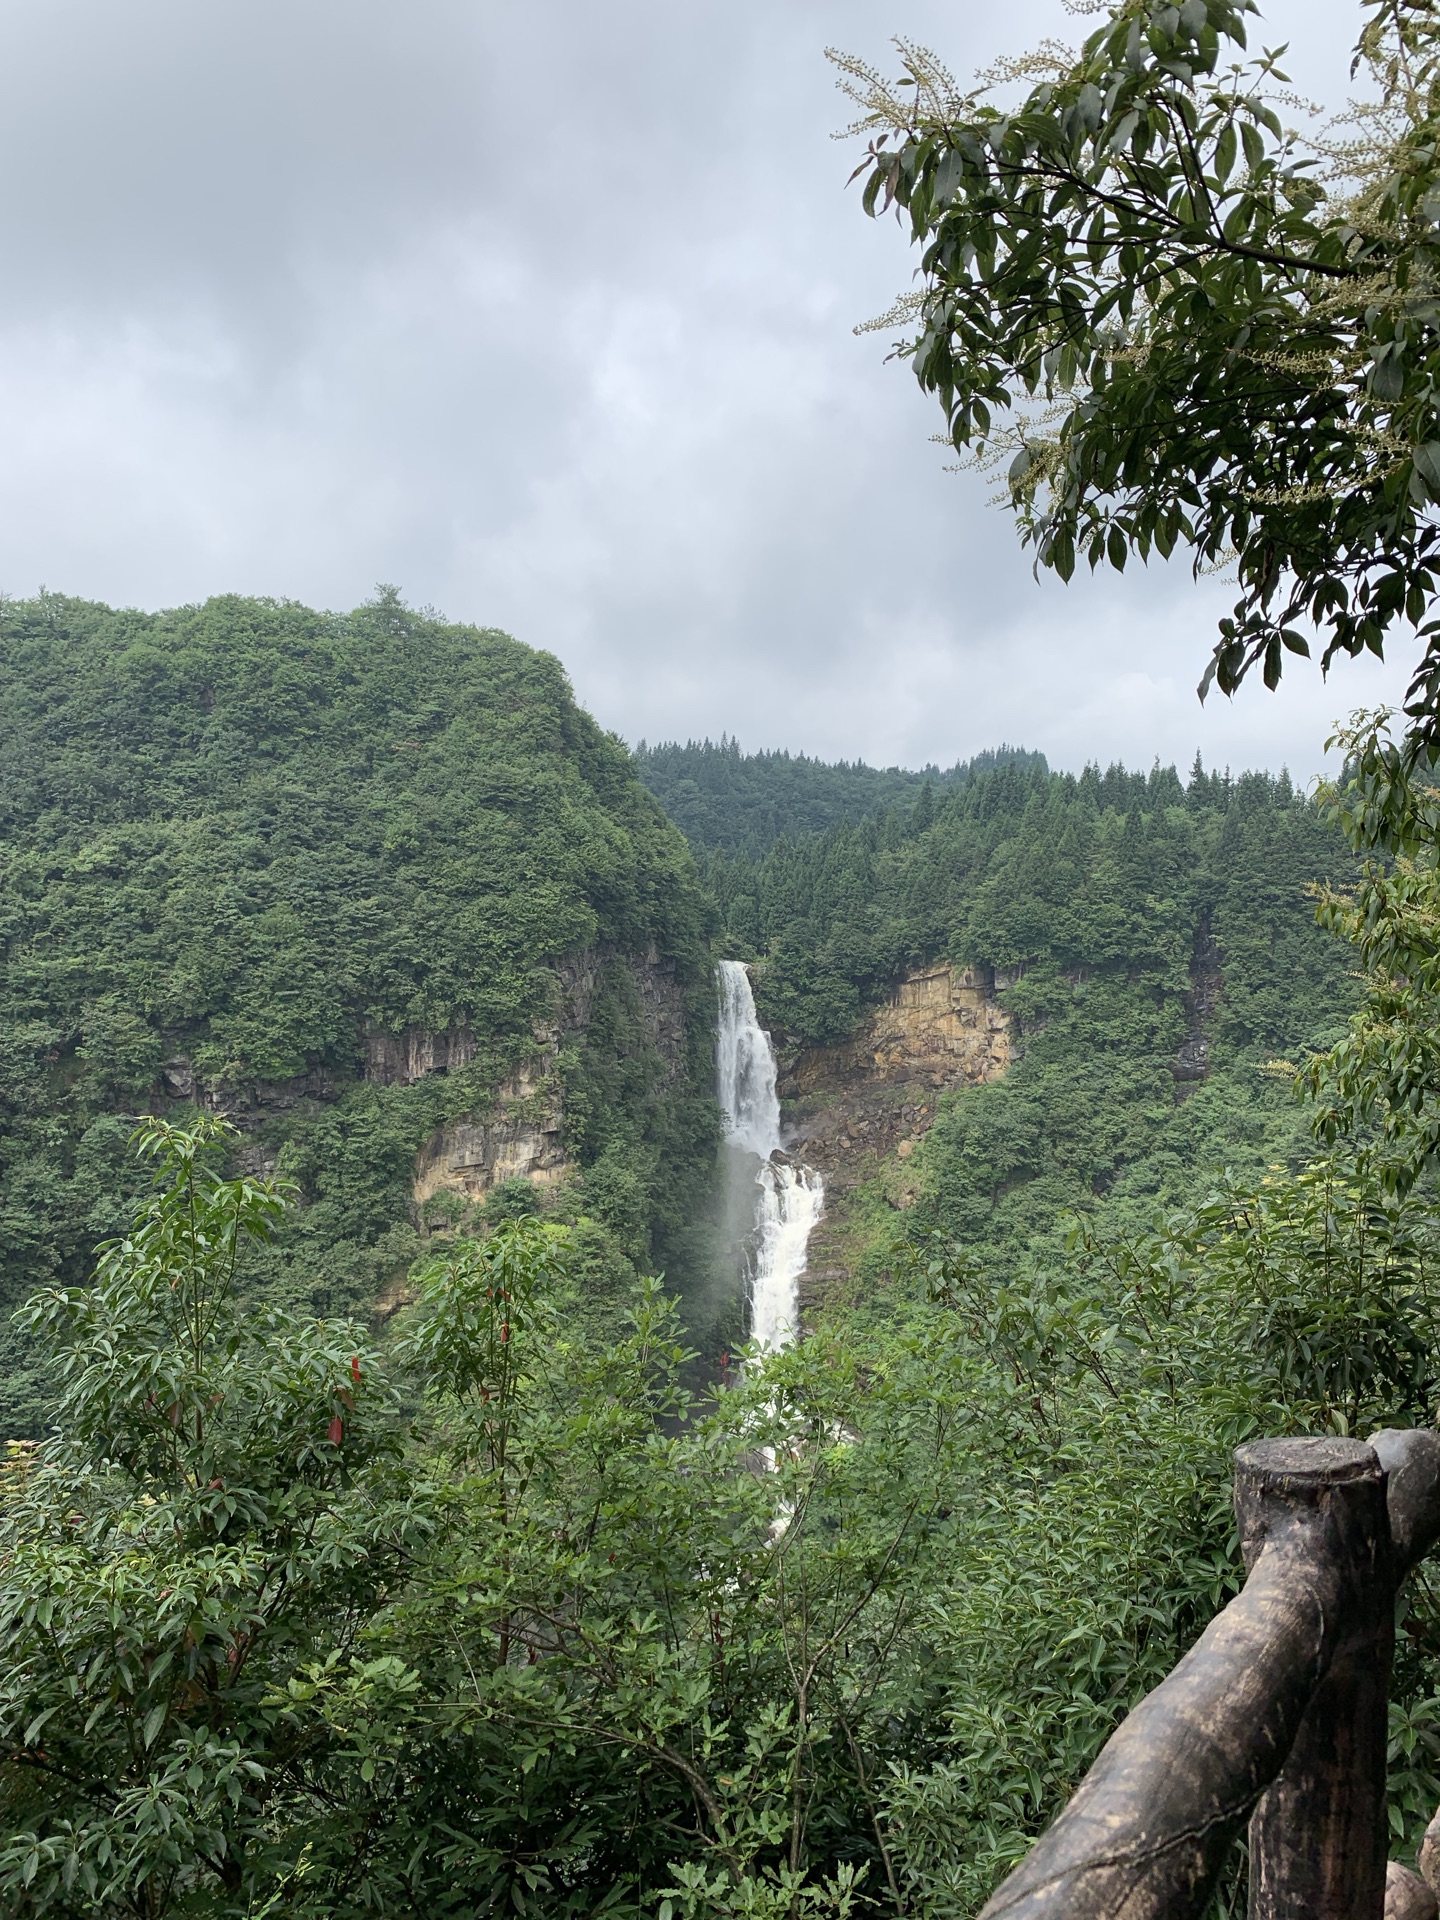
point(1278, 1716)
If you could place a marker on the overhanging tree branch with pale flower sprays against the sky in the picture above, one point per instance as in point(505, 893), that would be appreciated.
point(1184, 324)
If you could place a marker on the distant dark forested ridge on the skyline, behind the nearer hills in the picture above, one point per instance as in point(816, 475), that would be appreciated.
point(746, 802)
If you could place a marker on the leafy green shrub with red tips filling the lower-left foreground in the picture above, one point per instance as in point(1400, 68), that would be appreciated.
point(218, 1510)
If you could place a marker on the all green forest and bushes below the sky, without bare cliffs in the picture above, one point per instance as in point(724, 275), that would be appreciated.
point(383, 1554)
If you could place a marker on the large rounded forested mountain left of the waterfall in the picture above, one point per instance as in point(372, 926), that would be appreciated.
point(279, 863)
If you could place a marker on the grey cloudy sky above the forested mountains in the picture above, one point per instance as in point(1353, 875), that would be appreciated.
point(544, 312)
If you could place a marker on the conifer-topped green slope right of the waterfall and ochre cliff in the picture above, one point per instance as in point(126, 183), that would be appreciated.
point(1151, 942)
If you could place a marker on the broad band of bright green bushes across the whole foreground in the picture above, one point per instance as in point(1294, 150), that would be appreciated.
point(569, 1646)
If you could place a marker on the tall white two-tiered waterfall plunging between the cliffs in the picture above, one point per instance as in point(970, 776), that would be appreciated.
point(790, 1197)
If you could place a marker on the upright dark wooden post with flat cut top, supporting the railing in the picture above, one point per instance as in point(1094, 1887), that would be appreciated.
point(1318, 1838)
